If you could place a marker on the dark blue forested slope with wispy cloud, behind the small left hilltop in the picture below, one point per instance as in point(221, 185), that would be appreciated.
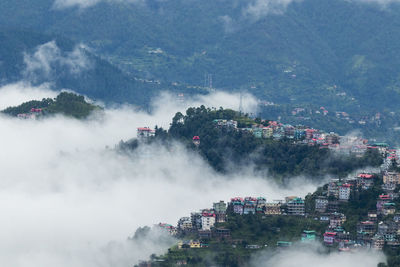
point(41, 58)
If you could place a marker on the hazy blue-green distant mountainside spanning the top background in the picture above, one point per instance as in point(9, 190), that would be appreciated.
point(308, 52)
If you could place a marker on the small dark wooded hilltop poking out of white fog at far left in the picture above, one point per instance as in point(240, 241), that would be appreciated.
point(65, 103)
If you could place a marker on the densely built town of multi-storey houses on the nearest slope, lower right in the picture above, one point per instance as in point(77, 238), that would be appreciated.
point(377, 228)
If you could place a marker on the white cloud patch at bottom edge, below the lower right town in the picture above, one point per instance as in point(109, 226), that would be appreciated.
point(316, 255)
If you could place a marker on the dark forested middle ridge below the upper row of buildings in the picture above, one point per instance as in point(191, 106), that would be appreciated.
point(226, 146)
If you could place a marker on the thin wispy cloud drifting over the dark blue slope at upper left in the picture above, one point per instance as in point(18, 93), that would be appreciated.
point(48, 57)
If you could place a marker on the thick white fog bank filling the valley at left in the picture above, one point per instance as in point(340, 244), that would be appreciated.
point(67, 200)
